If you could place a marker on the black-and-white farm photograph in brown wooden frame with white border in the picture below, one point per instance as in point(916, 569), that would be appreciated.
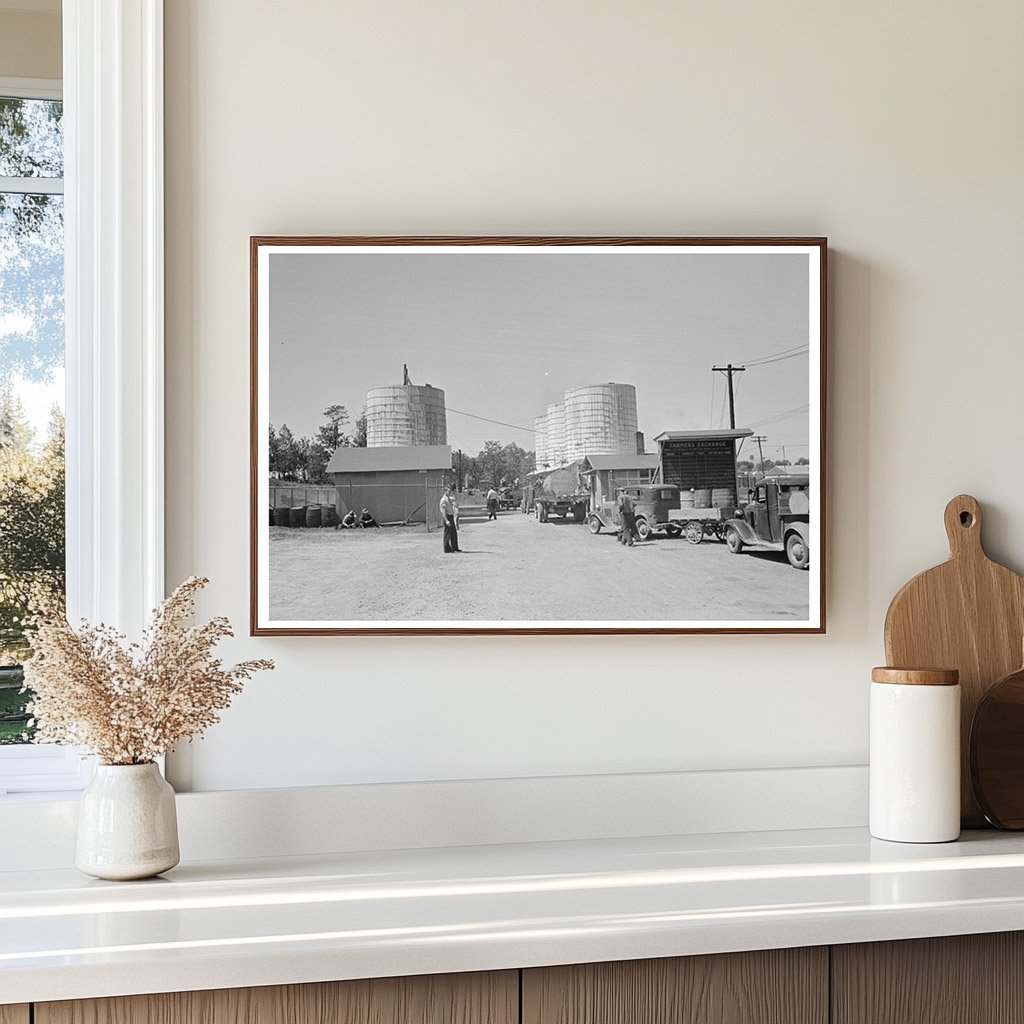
point(488, 436)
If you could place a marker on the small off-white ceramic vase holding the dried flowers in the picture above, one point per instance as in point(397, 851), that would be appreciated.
point(127, 826)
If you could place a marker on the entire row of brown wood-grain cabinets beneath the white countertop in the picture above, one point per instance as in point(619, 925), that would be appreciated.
point(973, 979)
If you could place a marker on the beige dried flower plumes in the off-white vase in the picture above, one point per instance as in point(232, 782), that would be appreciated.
point(130, 704)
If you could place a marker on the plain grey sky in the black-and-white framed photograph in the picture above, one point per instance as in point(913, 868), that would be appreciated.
point(505, 335)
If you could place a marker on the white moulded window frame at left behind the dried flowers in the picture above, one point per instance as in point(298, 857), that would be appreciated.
point(114, 335)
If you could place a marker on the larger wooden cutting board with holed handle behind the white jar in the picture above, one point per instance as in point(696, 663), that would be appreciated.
point(967, 614)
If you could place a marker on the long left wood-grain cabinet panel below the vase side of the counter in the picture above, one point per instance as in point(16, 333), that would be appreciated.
point(455, 999)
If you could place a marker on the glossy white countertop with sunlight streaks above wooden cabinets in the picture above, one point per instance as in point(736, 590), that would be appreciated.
point(286, 920)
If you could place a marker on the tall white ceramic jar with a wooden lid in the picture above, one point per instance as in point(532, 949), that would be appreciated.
point(916, 755)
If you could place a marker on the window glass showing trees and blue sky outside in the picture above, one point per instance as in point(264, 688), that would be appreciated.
point(32, 451)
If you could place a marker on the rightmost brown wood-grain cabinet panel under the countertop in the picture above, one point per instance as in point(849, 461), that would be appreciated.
point(963, 979)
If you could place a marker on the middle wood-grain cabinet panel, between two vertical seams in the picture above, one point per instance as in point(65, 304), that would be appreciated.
point(775, 987)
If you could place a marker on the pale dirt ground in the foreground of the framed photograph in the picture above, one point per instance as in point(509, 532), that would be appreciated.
point(518, 569)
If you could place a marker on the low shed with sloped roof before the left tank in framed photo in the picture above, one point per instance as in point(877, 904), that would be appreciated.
point(398, 485)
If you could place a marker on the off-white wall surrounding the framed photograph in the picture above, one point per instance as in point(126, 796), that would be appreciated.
point(894, 130)
